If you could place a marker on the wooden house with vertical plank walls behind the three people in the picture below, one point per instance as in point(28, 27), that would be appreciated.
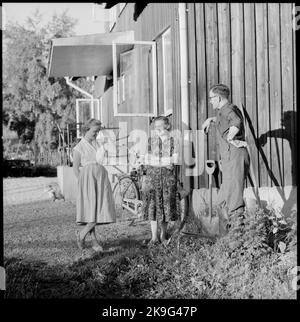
point(248, 46)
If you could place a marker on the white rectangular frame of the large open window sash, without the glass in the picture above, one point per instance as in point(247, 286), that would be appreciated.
point(115, 77)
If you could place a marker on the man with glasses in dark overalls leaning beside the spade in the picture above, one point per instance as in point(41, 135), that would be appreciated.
point(233, 152)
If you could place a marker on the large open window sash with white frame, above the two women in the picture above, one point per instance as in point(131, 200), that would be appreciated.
point(134, 78)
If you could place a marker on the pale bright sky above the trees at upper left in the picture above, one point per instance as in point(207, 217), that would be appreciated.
point(81, 11)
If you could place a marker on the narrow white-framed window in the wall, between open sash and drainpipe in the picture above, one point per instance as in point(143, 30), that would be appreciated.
point(165, 73)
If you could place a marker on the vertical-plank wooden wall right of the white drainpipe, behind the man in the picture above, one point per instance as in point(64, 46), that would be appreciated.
point(250, 48)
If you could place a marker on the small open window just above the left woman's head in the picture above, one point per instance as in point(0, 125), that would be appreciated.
point(85, 109)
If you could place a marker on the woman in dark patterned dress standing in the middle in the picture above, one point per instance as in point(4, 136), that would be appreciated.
point(160, 196)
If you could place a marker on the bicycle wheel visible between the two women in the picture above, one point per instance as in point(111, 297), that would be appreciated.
point(125, 188)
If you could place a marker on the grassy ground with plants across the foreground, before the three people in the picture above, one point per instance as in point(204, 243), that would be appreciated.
point(42, 259)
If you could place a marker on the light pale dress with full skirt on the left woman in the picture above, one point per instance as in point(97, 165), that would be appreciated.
point(95, 203)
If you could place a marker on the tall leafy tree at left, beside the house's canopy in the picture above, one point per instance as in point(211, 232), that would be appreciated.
point(32, 102)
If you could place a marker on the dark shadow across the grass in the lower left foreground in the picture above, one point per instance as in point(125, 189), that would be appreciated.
point(97, 276)
